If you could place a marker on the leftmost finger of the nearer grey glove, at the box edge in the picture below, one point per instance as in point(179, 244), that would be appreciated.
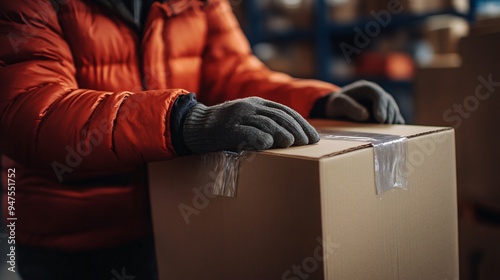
point(250, 138)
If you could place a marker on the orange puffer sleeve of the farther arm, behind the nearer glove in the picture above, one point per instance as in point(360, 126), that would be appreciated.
point(231, 71)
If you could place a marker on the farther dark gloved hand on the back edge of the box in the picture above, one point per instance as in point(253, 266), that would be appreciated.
point(362, 101)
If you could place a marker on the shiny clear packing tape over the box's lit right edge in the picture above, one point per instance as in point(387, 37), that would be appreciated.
point(389, 156)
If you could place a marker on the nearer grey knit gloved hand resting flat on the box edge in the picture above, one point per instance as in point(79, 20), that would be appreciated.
point(250, 123)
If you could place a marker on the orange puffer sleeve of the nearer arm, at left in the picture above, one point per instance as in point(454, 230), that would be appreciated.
point(48, 122)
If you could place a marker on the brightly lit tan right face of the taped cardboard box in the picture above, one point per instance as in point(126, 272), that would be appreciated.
point(403, 234)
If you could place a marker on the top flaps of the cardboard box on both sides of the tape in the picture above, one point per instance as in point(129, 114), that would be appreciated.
point(327, 148)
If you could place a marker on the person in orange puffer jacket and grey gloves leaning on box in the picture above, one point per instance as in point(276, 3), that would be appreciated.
point(91, 91)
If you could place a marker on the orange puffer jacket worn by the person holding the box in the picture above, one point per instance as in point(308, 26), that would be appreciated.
point(85, 103)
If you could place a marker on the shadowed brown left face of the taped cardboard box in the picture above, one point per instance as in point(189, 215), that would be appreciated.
point(236, 238)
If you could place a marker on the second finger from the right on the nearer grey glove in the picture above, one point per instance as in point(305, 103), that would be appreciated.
point(287, 122)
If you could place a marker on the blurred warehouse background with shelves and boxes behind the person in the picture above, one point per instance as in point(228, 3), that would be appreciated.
point(441, 61)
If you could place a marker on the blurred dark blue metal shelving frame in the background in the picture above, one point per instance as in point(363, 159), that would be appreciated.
point(324, 32)
